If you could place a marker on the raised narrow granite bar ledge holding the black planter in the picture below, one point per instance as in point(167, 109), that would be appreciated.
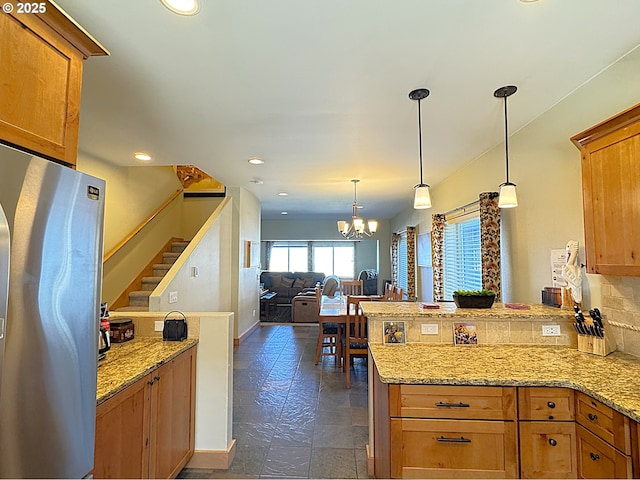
point(449, 309)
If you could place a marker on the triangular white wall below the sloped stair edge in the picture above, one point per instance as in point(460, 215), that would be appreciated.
point(210, 251)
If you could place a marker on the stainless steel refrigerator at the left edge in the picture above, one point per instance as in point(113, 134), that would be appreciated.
point(50, 279)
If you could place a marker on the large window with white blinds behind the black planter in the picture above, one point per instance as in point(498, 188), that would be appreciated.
point(462, 258)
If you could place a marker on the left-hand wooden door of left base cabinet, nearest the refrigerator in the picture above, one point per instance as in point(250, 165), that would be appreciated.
point(122, 434)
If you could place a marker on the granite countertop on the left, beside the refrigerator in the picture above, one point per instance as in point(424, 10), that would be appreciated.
point(128, 362)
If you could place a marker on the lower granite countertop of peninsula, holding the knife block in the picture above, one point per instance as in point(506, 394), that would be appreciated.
point(613, 380)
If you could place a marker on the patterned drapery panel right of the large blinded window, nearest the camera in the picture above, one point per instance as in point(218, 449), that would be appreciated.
point(490, 242)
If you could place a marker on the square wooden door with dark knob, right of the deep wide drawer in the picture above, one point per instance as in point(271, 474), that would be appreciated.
point(548, 450)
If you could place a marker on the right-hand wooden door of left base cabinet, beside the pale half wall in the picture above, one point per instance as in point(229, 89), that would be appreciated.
point(173, 417)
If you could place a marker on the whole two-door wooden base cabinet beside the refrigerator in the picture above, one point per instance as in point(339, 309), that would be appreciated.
point(147, 430)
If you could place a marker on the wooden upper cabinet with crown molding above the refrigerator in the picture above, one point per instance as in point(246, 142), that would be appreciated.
point(41, 54)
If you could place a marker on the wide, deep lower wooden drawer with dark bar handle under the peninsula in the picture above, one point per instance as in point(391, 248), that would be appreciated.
point(453, 449)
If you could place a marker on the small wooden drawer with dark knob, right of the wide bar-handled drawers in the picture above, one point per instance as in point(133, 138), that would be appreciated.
point(546, 403)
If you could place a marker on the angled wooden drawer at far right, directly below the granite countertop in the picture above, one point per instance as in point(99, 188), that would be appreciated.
point(606, 423)
